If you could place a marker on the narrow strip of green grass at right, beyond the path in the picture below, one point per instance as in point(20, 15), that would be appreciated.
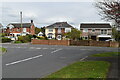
point(107, 54)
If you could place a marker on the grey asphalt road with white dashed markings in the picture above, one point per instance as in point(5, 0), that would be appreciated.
point(37, 61)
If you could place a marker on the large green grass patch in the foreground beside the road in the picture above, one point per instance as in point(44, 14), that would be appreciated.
point(88, 69)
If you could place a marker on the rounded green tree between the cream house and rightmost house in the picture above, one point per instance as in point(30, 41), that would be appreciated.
point(74, 34)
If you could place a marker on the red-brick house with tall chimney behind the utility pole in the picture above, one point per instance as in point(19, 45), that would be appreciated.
point(17, 29)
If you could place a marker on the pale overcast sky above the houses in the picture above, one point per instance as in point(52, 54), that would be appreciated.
point(46, 13)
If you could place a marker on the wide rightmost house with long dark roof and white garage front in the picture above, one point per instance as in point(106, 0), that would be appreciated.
point(96, 31)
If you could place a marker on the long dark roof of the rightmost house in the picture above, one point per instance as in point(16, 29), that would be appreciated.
point(95, 25)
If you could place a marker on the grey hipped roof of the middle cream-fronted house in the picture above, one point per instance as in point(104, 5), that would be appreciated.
point(60, 24)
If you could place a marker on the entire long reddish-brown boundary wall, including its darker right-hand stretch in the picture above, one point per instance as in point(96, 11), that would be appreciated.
point(76, 43)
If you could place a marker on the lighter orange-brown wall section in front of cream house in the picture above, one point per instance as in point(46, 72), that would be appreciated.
point(50, 42)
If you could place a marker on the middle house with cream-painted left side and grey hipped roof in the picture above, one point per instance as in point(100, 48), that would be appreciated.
point(57, 30)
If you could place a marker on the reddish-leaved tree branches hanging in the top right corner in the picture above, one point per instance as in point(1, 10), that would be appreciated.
point(110, 10)
